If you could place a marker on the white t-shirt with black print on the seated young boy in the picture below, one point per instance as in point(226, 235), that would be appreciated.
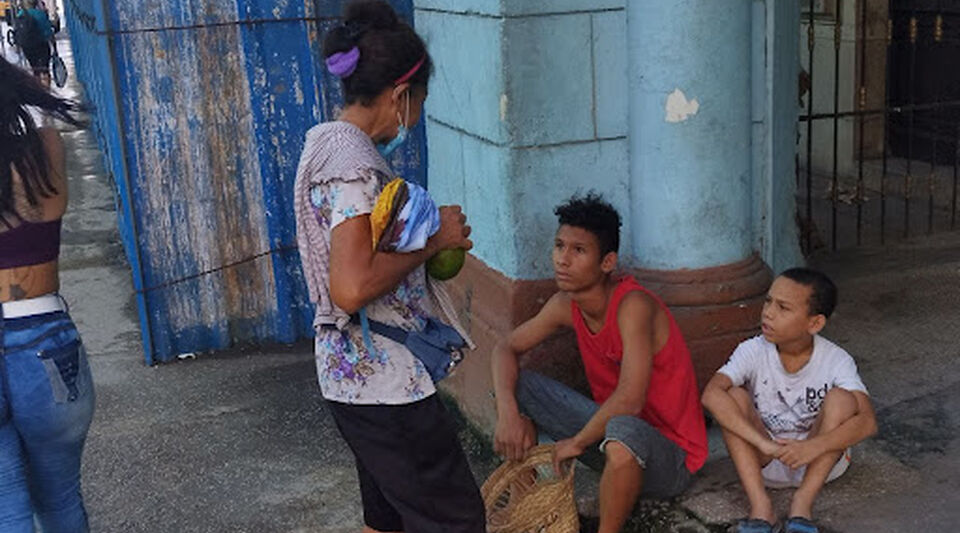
point(787, 403)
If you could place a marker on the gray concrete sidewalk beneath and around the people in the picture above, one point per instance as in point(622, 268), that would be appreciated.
point(239, 441)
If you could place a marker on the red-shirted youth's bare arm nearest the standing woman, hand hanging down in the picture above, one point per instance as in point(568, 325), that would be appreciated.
point(511, 438)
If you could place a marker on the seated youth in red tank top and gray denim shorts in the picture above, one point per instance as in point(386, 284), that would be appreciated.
point(644, 426)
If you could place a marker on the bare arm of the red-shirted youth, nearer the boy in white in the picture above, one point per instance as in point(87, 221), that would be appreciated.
point(636, 321)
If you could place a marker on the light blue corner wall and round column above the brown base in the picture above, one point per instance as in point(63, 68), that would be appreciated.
point(530, 104)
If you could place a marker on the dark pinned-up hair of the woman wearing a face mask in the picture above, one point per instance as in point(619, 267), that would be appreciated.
point(388, 46)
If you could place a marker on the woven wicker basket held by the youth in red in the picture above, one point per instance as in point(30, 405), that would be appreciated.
point(527, 496)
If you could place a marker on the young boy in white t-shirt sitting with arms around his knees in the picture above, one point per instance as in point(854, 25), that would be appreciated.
point(790, 402)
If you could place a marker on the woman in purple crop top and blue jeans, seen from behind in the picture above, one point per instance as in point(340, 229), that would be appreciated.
point(46, 391)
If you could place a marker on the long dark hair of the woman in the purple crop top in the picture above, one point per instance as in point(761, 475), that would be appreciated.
point(21, 146)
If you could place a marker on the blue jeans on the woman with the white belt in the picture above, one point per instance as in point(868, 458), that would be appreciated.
point(46, 406)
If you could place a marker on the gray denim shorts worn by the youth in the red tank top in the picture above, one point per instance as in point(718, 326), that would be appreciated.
point(560, 412)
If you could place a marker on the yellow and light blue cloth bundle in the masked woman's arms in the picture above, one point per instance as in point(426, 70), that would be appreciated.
point(403, 218)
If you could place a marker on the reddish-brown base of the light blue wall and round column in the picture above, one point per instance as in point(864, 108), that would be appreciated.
point(716, 309)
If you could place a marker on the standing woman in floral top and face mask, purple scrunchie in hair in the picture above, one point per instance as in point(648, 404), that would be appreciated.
point(413, 474)
